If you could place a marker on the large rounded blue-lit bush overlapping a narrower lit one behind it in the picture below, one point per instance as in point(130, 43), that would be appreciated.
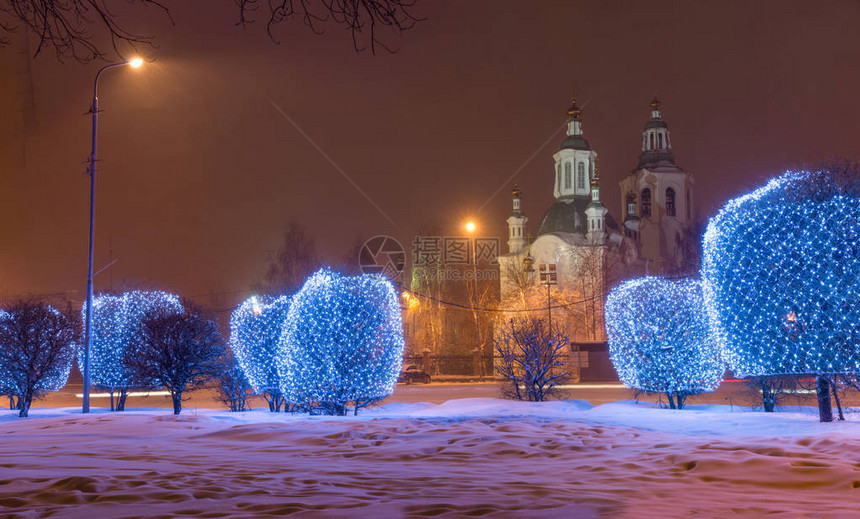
point(343, 342)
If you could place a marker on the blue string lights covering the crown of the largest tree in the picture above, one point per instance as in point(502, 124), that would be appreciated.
point(781, 272)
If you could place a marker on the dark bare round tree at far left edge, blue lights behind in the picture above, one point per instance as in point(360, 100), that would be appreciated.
point(37, 345)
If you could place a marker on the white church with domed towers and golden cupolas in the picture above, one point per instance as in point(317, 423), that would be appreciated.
point(579, 250)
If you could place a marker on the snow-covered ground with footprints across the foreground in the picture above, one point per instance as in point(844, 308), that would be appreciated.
point(467, 457)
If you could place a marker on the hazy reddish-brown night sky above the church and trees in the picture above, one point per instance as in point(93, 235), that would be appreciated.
point(200, 173)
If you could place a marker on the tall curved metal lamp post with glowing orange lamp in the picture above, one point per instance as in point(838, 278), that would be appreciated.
point(94, 110)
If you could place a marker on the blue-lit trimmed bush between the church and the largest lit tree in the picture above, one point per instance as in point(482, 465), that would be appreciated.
point(659, 338)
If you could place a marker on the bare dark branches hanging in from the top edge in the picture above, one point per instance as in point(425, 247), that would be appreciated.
point(80, 29)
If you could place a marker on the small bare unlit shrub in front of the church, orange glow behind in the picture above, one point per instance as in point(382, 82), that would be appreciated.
point(532, 357)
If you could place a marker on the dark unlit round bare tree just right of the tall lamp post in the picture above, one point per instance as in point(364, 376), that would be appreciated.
point(179, 352)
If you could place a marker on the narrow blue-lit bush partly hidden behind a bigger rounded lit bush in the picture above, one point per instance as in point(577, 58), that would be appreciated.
point(255, 332)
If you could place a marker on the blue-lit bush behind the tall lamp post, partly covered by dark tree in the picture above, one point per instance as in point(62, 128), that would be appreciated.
point(115, 331)
